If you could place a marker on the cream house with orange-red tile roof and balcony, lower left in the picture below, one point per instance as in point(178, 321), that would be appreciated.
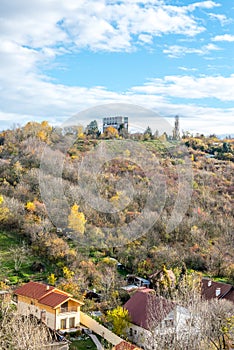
point(57, 309)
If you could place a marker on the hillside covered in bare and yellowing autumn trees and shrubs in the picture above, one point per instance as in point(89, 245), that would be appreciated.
point(203, 241)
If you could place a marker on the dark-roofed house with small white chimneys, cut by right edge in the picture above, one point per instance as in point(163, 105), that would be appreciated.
point(216, 290)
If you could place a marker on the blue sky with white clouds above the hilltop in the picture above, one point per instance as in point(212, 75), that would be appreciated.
point(174, 57)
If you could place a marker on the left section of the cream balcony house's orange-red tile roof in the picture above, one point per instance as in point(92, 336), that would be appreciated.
point(34, 290)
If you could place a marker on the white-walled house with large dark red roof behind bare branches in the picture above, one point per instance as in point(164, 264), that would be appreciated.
point(151, 315)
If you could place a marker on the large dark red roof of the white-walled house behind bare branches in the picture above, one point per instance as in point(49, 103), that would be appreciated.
point(147, 310)
